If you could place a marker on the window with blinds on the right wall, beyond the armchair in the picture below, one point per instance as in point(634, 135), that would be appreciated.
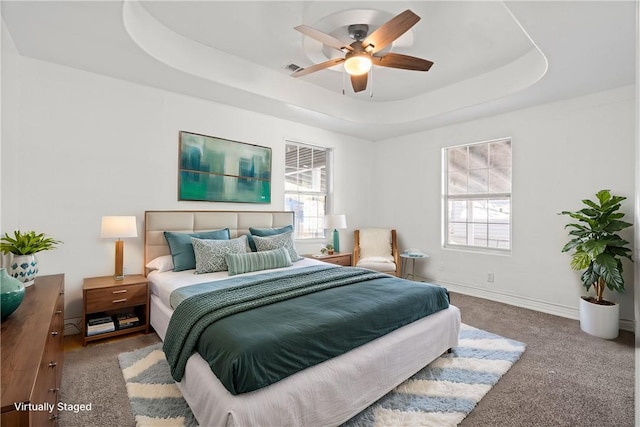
point(477, 195)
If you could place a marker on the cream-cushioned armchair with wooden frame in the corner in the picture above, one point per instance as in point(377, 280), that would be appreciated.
point(376, 249)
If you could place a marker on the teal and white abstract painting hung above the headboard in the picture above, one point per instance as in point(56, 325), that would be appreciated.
point(220, 170)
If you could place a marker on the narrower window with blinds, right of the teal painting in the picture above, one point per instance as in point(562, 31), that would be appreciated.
point(305, 187)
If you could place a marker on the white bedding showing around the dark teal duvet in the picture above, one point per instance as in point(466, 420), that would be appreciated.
point(323, 395)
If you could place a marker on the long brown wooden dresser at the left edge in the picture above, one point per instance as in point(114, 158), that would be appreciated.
point(32, 355)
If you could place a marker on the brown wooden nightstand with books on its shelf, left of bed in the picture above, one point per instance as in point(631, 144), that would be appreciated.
point(105, 296)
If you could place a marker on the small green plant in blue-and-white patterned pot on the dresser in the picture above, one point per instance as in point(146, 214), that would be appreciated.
point(23, 247)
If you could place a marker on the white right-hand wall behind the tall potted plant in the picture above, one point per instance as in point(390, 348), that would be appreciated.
point(562, 153)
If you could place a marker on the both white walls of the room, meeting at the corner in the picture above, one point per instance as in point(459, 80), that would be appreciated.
point(77, 146)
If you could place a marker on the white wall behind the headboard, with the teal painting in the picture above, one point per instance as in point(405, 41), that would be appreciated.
point(88, 146)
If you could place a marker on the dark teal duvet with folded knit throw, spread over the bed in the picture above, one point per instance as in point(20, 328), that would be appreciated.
point(254, 331)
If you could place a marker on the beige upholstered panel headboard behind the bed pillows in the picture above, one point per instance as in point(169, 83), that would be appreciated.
point(238, 223)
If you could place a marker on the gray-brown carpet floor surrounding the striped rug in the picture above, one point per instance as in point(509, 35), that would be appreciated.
point(565, 378)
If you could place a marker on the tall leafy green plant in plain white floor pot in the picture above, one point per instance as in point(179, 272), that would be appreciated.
point(599, 250)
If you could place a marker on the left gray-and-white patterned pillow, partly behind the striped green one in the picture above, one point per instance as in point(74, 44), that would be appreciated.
point(210, 254)
